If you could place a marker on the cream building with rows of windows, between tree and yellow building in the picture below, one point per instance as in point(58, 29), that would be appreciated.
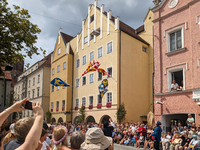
point(33, 83)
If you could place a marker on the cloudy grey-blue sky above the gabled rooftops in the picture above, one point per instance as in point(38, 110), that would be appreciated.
point(50, 15)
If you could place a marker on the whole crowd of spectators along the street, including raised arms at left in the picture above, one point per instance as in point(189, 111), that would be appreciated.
point(34, 133)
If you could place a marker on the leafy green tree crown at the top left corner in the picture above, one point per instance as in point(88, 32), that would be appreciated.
point(17, 34)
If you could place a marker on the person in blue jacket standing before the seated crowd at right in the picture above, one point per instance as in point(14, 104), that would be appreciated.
point(157, 135)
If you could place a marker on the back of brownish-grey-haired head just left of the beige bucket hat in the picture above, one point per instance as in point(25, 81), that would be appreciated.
point(76, 140)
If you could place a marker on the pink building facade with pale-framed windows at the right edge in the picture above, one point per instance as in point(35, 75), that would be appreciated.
point(176, 57)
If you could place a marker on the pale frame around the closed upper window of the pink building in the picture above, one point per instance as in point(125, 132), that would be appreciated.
point(168, 38)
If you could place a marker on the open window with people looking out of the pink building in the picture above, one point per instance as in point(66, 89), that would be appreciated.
point(178, 76)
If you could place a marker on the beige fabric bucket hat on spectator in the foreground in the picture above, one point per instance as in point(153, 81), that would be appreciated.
point(95, 140)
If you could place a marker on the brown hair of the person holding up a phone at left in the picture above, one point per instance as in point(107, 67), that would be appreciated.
point(22, 127)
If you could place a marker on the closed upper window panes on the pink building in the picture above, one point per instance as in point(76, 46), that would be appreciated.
point(175, 39)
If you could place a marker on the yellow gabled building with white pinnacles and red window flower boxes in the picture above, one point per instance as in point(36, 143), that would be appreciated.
point(122, 53)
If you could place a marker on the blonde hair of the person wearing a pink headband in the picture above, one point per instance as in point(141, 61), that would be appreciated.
point(59, 132)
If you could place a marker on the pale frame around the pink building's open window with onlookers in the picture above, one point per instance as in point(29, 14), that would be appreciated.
point(170, 77)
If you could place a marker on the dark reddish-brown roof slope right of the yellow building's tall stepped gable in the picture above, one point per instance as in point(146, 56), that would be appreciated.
point(127, 29)
